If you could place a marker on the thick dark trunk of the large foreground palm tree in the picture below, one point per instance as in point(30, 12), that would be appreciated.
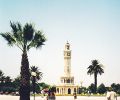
point(25, 78)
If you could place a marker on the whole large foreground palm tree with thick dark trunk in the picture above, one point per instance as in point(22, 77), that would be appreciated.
point(24, 38)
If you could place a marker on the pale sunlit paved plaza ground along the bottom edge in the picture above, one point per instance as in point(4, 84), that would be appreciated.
point(8, 97)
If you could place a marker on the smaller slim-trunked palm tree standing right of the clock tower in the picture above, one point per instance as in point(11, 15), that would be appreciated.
point(95, 69)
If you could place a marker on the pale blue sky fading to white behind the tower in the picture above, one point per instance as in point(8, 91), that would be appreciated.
point(90, 26)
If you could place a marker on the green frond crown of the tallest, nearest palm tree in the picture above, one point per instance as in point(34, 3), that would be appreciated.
point(25, 36)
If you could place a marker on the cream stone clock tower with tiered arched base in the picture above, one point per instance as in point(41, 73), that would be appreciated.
point(67, 85)
